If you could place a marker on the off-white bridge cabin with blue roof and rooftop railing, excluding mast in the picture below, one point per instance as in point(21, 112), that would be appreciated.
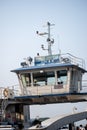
point(52, 74)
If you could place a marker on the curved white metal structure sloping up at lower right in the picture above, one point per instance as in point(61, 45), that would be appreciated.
point(57, 122)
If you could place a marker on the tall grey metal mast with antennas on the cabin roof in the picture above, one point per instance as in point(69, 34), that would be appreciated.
point(49, 40)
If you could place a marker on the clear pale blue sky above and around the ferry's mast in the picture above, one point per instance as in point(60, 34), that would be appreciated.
point(19, 21)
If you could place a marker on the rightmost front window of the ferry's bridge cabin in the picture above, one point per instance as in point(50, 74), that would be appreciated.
point(62, 77)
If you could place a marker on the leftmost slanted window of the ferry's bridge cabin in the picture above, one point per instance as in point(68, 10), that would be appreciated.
point(26, 81)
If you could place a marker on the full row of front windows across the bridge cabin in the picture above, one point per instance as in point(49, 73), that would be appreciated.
point(42, 78)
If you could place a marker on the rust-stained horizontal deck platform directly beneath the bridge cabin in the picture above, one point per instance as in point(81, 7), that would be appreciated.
point(51, 98)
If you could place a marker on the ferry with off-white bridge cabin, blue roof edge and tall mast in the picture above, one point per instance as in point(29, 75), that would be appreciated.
point(54, 78)
